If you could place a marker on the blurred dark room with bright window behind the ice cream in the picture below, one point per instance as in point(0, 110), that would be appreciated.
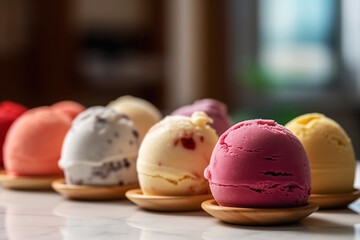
point(266, 58)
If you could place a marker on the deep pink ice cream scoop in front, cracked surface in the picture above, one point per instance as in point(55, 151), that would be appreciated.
point(261, 164)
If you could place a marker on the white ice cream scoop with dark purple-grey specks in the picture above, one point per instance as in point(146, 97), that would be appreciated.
point(100, 149)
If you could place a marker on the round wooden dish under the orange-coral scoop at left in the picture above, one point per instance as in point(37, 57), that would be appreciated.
point(26, 183)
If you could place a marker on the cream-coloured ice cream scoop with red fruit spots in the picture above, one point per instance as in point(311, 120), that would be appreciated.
point(174, 154)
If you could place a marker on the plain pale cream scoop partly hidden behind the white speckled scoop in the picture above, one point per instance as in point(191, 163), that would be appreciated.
point(141, 112)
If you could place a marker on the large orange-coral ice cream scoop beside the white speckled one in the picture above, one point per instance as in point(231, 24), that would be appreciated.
point(33, 144)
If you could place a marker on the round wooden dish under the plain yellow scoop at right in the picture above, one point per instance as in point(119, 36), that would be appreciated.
point(342, 200)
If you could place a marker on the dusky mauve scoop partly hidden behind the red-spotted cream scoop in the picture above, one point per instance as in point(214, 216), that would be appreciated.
point(213, 108)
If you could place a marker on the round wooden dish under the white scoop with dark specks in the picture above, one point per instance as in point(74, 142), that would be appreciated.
point(91, 193)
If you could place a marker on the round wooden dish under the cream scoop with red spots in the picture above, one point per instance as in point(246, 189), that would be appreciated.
point(167, 203)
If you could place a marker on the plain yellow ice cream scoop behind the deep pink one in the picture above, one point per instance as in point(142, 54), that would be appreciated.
point(330, 153)
